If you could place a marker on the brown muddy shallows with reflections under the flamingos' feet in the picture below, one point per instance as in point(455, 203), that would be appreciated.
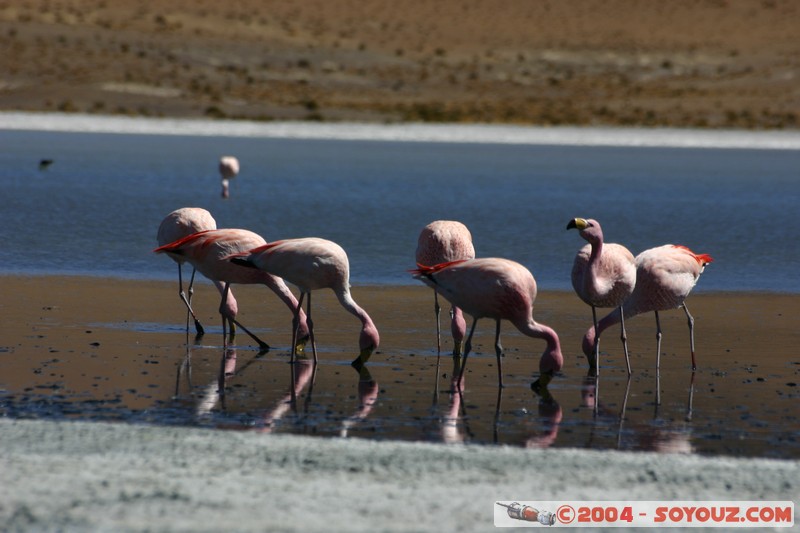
point(742, 400)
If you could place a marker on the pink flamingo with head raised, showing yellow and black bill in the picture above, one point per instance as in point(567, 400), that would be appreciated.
point(603, 275)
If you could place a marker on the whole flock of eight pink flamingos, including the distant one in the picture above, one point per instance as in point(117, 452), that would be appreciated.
point(604, 275)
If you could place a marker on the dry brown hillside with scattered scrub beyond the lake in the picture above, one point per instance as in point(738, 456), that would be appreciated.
point(730, 64)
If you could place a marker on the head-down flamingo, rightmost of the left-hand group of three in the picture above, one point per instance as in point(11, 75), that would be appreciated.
point(310, 264)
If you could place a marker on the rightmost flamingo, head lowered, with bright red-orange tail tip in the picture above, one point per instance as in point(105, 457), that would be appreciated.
point(664, 278)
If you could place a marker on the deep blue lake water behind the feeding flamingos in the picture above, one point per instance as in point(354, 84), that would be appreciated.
point(96, 209)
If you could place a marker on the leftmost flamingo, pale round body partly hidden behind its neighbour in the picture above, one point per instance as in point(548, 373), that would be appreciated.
point(176, 225)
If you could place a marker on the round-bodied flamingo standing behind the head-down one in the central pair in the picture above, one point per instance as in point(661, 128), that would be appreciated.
point(439, 242)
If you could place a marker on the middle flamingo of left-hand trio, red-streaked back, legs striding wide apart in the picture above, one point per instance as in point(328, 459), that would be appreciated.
point(207, 252)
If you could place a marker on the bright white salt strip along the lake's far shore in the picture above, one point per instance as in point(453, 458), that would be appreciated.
point(480, 133)
